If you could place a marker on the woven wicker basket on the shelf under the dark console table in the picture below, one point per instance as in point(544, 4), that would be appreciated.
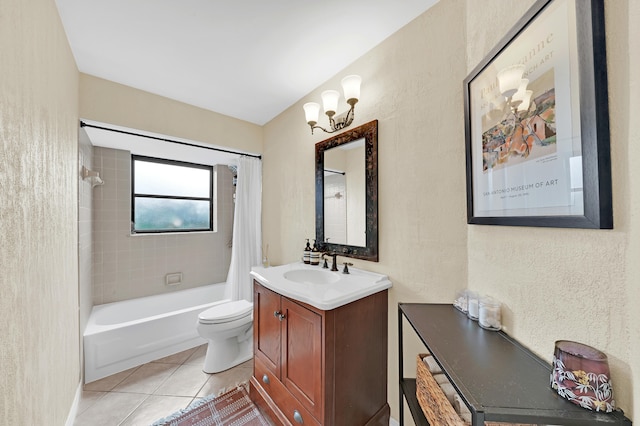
point(435, 405)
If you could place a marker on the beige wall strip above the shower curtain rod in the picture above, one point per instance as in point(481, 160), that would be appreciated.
point(113, 103)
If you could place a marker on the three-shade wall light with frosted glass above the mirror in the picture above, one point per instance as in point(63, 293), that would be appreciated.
point(351, 88)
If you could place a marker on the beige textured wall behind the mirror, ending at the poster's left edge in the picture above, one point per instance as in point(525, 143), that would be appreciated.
point(412, 83)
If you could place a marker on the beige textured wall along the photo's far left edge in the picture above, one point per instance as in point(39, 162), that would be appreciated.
point(39, 354)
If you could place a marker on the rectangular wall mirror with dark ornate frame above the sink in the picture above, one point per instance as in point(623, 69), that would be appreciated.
point(347, 193)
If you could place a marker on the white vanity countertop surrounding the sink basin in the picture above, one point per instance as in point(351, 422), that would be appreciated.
point(348, 288)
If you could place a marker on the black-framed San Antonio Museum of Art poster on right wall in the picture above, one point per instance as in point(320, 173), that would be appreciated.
point(537, 122)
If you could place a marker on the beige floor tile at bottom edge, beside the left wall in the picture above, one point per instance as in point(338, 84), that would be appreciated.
point(111, 409)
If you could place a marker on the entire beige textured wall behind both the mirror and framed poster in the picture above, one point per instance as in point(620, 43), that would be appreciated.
point(577, 284)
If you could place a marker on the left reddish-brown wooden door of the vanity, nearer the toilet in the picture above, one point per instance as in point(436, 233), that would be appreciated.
point(266, 327)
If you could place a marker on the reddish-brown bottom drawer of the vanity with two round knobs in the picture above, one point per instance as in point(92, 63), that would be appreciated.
point(289, 406)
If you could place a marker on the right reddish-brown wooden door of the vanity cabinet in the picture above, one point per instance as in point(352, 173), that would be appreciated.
point(302, 356)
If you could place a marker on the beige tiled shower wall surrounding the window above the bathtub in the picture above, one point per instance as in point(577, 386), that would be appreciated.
point(126, 266)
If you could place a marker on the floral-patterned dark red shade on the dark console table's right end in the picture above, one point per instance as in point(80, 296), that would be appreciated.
point(580, 374)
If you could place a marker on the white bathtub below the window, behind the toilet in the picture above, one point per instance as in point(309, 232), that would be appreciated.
point(122, 335)
